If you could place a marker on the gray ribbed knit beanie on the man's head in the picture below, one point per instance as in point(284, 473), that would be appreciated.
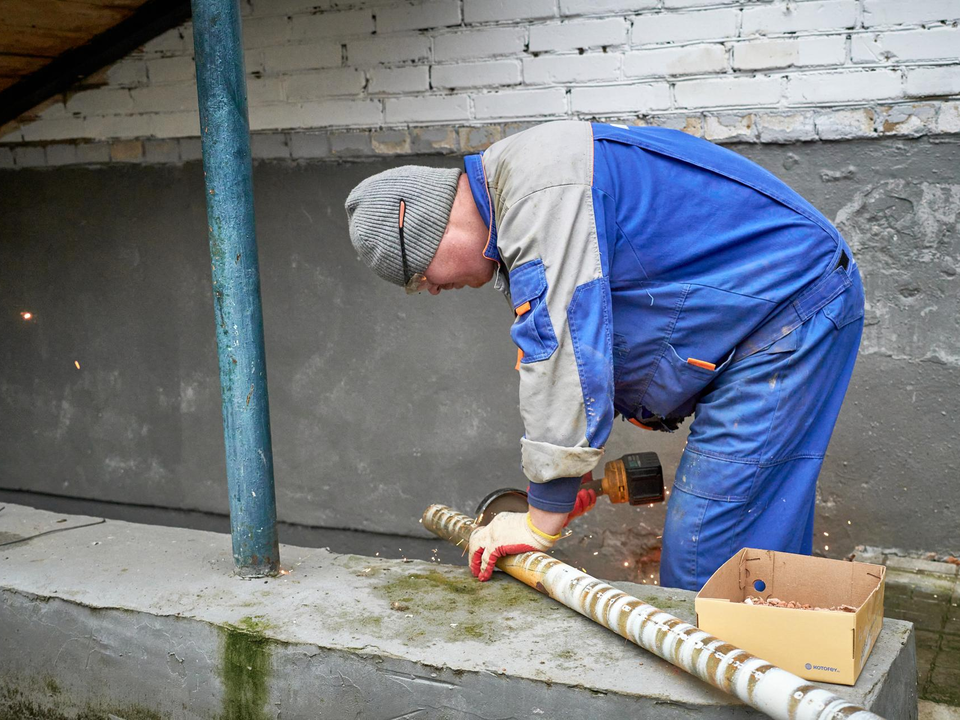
point(373, 214)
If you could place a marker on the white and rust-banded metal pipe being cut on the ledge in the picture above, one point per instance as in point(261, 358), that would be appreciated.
point(769, 689)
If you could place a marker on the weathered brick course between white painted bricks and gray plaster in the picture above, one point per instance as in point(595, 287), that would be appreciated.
point(861, 122)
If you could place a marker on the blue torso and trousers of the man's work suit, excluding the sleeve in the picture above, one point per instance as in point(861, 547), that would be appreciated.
point(764, 415)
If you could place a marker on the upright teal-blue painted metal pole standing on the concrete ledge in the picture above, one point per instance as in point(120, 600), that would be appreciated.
point(227, 169)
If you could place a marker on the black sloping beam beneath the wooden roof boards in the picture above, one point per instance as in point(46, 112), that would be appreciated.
point(149, 20)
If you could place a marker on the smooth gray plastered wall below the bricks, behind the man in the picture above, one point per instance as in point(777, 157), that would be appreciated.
point(382, 404)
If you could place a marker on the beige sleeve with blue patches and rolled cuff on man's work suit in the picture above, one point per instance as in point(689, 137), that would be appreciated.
point(547, 239)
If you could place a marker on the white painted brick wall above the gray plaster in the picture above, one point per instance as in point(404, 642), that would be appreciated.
point(758, 70)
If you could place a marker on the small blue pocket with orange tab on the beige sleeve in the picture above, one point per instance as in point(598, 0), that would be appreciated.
point(532, 331)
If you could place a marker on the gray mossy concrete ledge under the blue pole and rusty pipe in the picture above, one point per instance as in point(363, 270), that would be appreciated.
point(143, 622)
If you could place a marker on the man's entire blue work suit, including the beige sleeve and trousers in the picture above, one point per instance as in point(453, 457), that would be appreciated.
point(656, 275)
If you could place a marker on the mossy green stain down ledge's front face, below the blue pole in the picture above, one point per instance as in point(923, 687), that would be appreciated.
point(245, 667)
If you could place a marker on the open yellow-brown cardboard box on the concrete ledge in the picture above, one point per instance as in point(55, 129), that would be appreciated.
point(814, 644)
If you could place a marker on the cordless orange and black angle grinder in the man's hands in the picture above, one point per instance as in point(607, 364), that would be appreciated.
point(636, 478)
